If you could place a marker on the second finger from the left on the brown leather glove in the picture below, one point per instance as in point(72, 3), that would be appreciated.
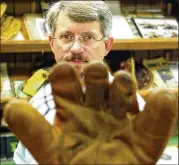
point(65, 84)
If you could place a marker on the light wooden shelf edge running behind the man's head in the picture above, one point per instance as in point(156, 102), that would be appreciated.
point(119, 44)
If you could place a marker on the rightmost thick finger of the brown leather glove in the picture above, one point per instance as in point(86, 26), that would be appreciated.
point(154, 125)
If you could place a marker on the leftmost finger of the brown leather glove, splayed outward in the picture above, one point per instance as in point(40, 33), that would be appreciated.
point(32, 130)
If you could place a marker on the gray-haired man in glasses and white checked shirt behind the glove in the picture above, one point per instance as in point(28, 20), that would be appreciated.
point(80, 33)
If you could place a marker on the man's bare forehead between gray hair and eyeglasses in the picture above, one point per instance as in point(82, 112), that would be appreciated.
point(65, 24)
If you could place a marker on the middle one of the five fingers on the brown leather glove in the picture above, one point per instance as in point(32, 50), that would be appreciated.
point(96, 81)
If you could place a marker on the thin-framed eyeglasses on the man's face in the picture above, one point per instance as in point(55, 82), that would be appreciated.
point(67, 40)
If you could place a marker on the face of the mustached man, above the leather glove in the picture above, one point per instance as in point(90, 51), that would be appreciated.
point(78, 53)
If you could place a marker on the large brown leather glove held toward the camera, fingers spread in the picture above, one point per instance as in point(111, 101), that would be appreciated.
point(100, 126)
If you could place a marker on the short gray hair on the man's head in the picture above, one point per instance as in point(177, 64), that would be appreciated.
point(81, 11)
